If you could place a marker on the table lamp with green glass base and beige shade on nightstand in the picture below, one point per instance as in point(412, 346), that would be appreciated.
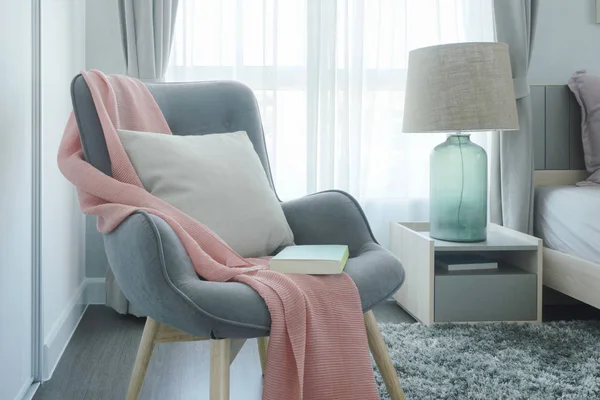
point(459, 88)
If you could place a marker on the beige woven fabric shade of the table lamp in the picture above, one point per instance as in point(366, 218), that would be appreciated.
point(460, 87)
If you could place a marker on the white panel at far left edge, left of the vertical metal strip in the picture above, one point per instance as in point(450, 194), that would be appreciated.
point(15, 198)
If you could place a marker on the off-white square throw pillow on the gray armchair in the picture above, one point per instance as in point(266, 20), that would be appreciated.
point(216, 179)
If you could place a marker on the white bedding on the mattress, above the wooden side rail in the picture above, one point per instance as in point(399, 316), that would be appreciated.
point(567, 218)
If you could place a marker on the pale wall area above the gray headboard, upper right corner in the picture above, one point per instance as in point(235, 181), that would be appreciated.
point(567, 39)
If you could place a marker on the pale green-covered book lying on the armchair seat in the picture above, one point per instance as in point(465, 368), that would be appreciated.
point(311, 259)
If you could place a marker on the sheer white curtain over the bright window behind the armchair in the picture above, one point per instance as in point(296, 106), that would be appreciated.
point(329, 76)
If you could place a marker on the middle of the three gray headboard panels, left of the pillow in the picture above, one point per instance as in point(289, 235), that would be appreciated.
point(557, 127)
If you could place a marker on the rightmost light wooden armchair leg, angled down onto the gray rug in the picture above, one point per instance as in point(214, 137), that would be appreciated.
point(382, 358)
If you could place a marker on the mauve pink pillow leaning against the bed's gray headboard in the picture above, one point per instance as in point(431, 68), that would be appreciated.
point(586, 88)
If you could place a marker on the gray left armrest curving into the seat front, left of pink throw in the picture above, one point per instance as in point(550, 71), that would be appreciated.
point(155, 273)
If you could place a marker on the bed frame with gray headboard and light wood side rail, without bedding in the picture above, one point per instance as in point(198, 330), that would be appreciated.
point(558, 155)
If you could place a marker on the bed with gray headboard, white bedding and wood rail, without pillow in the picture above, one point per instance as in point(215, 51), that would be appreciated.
point(566, 216)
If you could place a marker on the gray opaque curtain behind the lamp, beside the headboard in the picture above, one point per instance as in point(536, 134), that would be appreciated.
point(511, 189)
